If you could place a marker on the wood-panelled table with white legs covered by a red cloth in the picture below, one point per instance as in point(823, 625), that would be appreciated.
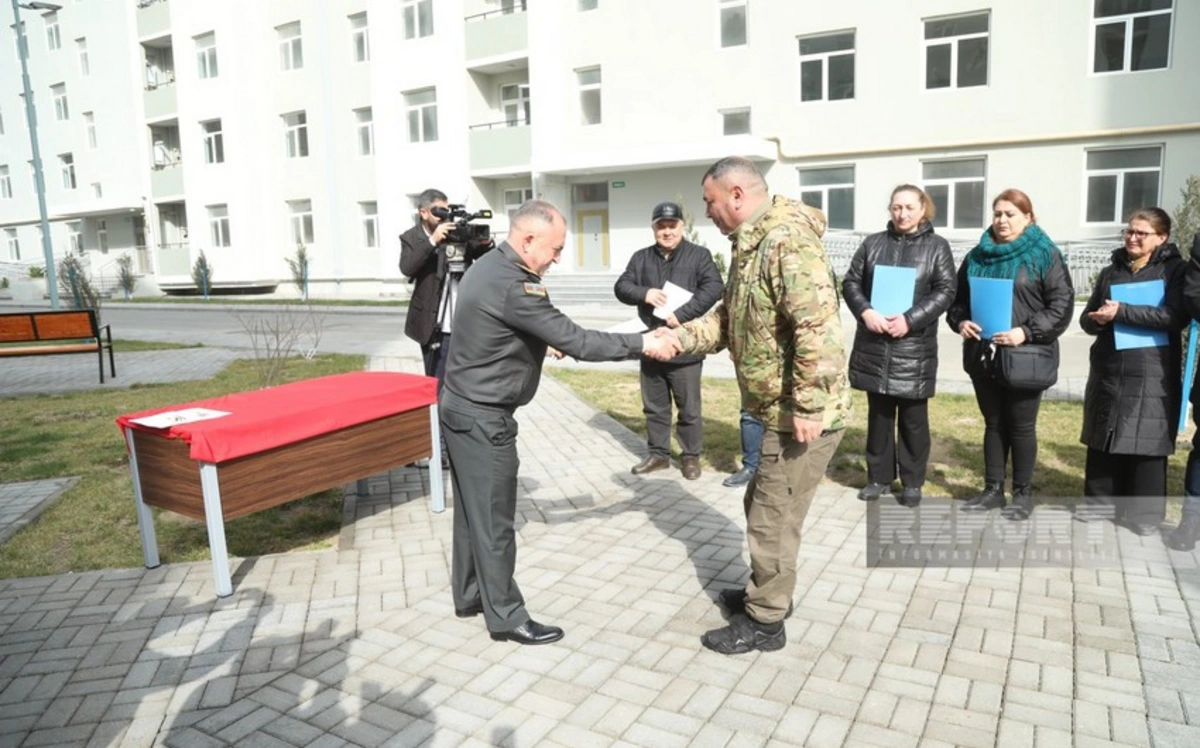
point(278, 445)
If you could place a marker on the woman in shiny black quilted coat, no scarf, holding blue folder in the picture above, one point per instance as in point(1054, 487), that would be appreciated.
point(896, 350)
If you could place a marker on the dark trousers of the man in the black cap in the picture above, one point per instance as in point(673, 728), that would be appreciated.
point(661, 384)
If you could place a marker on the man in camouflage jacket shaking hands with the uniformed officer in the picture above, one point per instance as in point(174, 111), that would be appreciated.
point(781, 321)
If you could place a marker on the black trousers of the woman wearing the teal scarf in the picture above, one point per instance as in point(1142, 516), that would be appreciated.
point(1011, 420)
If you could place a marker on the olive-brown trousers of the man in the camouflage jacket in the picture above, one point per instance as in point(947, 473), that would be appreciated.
point(777, 502)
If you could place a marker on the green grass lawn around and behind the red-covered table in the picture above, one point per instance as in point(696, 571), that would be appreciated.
point(93, 525)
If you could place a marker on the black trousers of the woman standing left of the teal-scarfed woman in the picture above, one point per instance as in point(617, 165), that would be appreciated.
point(887, 416)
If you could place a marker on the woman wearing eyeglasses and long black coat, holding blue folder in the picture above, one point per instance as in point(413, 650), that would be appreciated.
point(1132, 402)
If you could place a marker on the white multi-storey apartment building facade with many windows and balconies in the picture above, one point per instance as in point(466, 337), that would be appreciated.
point(247, 130)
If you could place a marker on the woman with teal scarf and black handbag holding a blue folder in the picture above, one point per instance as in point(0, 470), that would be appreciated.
point(1043, 302)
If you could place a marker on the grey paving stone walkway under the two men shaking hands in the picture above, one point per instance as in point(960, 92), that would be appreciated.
point(359, 647)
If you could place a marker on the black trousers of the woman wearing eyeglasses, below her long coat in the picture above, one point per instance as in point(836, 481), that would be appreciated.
point(1133, 486)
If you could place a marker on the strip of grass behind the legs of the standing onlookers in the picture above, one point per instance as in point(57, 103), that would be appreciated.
point(956, 465)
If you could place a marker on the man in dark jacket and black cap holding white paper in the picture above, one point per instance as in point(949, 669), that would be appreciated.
point(671, 260)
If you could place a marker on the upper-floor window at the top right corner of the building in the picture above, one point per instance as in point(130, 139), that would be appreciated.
point(1131, 35)
